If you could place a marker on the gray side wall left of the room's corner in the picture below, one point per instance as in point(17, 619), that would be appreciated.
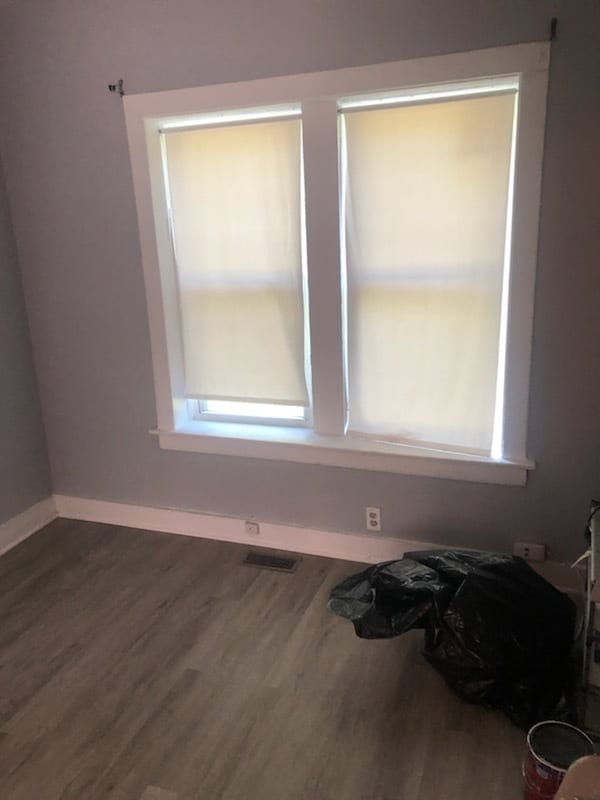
point(24, 470)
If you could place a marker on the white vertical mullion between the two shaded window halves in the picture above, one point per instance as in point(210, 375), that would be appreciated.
point(320, 143)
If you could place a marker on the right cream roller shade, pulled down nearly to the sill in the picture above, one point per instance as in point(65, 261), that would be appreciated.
point(426, 194)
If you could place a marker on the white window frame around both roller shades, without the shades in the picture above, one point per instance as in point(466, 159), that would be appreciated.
point(318, 95)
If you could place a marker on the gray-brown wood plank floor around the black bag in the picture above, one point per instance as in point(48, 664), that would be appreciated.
point(144, 666)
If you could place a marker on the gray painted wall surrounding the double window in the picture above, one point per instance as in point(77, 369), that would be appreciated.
point(73, 207)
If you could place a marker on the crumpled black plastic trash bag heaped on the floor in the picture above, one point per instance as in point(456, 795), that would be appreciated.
point(498, 633)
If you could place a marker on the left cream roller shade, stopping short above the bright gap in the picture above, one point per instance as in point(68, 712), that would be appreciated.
point(235, 202)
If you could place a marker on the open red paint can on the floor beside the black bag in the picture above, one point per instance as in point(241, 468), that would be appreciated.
point(551, 749)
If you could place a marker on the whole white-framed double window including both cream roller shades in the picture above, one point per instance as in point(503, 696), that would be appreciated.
point(340, 266)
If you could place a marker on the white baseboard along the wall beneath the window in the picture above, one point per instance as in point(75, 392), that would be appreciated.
point(332, 544)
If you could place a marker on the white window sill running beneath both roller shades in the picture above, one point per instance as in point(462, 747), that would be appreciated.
point(306, 447)
